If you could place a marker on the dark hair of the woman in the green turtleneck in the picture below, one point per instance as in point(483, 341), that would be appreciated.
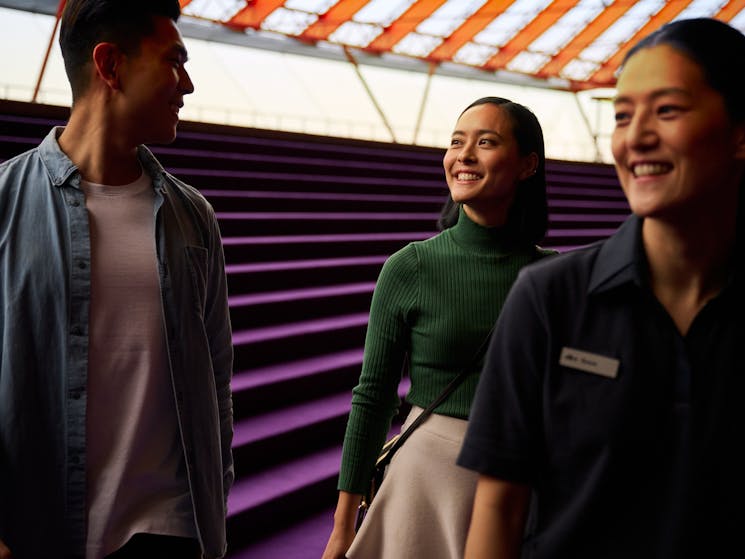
point(527, 218)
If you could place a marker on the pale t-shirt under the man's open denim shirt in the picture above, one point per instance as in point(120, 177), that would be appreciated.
point(135, 465)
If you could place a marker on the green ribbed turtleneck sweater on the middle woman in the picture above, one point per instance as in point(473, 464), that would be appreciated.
point(435, 300)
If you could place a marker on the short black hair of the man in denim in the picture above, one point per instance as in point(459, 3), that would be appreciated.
point(85, 23)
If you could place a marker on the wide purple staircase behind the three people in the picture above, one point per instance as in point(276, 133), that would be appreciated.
point(307, 222)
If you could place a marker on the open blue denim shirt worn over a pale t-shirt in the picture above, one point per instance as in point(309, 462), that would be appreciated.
point(45, 262)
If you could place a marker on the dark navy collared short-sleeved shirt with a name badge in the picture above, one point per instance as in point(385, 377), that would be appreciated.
point(631, 434)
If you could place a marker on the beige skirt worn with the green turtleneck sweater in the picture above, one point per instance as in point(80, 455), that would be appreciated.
point(423, 507)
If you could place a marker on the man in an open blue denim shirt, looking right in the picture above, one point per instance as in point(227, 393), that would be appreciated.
point(115, 340)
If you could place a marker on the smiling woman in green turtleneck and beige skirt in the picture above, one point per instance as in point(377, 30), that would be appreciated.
point(435, 302)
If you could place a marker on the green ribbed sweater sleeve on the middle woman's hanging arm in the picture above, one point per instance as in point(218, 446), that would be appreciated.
point(375, 398)
